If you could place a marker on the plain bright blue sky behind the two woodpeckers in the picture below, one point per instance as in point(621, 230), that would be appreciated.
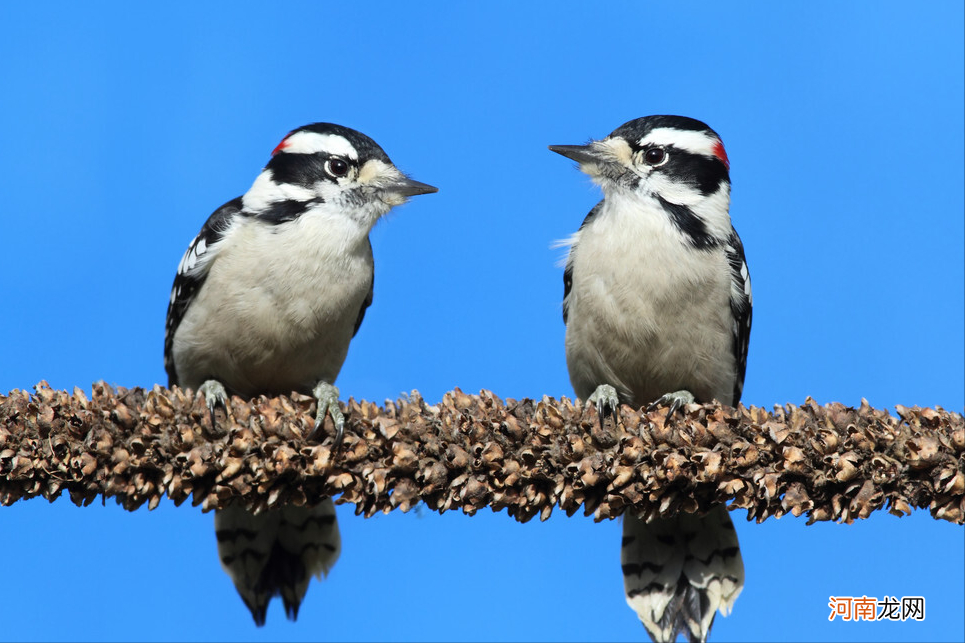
point(122, 127)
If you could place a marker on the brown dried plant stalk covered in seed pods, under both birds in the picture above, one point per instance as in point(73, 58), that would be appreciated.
point(467, 452)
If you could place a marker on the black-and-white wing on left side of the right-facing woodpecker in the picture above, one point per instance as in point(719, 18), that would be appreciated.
point(191, 274)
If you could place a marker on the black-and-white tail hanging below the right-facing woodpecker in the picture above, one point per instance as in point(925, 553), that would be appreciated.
point(276, 552)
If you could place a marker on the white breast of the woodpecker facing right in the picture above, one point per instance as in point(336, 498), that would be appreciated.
point(278, 308)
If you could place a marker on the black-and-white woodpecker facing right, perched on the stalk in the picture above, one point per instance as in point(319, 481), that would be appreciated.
point(265, 301)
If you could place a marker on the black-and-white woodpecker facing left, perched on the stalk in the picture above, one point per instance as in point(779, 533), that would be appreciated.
point(657, 307)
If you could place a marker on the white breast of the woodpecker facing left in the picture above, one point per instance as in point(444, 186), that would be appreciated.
point(647, 313)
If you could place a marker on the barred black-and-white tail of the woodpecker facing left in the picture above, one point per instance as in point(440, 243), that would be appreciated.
point(678, 572)
